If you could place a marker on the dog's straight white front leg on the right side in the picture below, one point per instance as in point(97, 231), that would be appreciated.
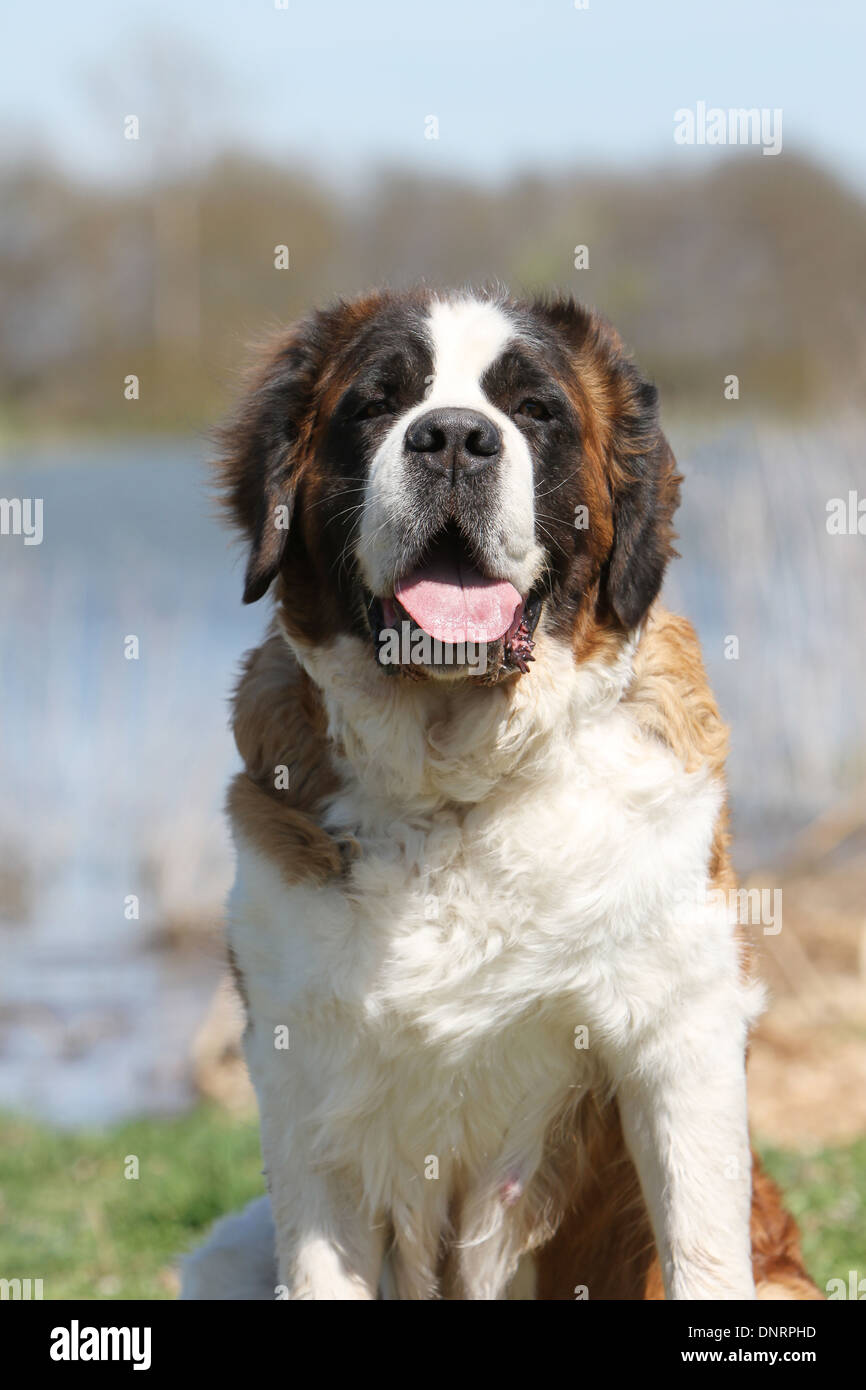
point(683, 1106)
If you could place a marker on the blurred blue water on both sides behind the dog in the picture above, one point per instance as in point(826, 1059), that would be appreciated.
point(115, 771)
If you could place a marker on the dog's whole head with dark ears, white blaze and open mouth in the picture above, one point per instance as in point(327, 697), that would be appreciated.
point(434, 475)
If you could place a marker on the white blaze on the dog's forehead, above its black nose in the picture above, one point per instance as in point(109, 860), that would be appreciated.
point(468, 337)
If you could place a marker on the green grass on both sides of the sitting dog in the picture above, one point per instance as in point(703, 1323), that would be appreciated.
point(72, 1218)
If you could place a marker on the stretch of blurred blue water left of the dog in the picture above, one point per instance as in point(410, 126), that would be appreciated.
point(113, 774)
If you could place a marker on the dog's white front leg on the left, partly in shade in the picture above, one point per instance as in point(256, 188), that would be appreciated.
point(329, 1246)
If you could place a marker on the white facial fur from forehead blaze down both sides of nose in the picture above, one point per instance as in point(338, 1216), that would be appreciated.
point(468, 337)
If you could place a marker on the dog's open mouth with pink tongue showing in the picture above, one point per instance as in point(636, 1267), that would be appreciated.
point(466, 614)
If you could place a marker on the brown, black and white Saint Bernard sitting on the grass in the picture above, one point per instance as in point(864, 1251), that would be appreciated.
point(497, 997)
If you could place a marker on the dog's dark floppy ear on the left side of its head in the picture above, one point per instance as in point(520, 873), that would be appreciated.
point(262, 450)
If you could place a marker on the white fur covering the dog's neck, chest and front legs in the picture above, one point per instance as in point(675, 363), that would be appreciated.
point(523, 862)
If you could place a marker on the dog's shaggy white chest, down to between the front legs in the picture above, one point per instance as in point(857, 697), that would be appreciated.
point(464, 985)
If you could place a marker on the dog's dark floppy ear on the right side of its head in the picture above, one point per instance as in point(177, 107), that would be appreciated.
point(646, 489)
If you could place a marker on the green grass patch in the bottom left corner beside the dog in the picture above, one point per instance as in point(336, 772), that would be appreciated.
point(70, 1217)
